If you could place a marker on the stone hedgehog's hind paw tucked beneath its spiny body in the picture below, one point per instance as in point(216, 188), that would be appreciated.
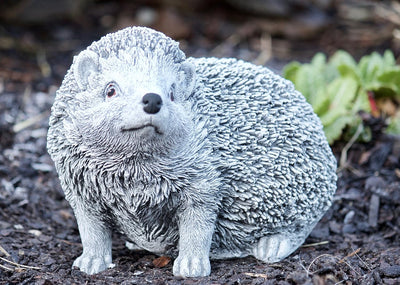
point(274, 248)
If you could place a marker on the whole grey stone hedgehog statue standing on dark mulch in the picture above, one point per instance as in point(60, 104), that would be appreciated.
point(195, 158)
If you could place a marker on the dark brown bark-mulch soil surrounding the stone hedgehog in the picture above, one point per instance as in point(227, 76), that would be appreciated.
point(357, 241)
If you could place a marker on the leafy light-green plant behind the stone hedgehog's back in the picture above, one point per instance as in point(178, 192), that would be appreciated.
point(339, 88)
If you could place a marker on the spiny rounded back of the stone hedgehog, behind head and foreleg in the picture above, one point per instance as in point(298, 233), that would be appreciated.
point(277, 169)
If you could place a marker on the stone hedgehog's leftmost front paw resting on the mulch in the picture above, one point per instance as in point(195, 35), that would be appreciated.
point(91, 264)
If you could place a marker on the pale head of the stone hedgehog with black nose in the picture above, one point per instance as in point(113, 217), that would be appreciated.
point(129, 94)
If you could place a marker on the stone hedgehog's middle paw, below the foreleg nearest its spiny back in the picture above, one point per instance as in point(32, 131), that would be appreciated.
point(192, 266)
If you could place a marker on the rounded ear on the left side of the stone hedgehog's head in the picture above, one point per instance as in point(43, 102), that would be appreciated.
point(85, 64)
